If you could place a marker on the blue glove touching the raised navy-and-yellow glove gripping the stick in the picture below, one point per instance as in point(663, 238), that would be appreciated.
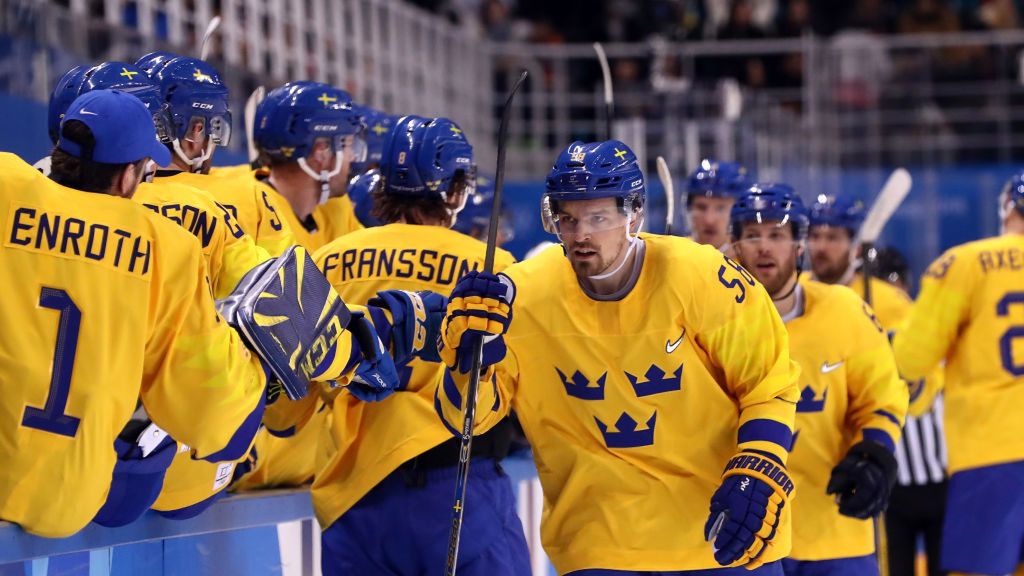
point(416, 322)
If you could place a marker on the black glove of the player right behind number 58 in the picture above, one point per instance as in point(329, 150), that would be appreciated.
point(864, 480)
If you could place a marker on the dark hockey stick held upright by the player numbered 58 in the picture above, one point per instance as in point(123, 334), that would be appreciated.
point(475, 376)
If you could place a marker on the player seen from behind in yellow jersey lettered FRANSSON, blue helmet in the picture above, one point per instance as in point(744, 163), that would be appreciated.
point(394, 464)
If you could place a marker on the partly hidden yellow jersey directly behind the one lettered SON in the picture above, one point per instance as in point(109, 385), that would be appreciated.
point(250, 202)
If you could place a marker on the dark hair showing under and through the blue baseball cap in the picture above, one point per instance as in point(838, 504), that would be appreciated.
point(81, 174)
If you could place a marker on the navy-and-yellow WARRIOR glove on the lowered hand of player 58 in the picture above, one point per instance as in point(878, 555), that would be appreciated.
point(747, 509)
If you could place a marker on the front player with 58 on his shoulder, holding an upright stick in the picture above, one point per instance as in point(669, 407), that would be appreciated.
point(641, 368)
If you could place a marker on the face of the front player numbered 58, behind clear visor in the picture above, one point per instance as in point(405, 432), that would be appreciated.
point(594, 233)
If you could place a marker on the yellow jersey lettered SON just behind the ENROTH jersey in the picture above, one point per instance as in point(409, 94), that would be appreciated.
point(230, 252)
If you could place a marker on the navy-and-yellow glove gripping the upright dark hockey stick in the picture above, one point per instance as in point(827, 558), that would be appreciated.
point(481, 307)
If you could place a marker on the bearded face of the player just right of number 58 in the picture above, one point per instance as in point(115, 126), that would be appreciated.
point(770, 253)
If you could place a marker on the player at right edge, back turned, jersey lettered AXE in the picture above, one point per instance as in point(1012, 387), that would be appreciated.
point(970, 312)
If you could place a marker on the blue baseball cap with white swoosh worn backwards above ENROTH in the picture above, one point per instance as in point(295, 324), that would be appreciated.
point(121, 126)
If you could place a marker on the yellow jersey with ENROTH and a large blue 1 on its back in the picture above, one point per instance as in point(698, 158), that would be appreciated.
point(111, 304)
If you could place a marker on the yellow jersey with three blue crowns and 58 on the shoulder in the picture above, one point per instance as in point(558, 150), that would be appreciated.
point(633, 407)
